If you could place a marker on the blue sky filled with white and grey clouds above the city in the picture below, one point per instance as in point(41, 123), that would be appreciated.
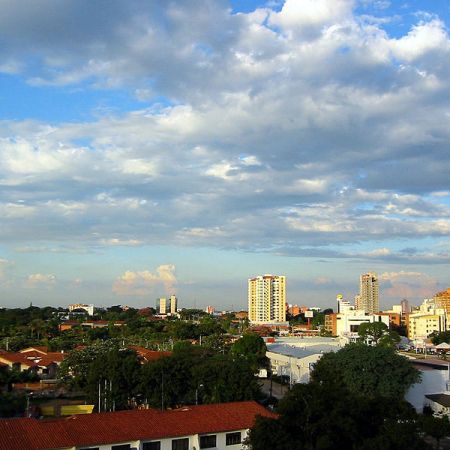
point(150, 148)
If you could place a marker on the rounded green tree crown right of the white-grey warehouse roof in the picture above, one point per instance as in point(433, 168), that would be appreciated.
point(367, 371)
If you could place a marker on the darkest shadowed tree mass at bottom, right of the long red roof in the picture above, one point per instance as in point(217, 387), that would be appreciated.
point(315, 416)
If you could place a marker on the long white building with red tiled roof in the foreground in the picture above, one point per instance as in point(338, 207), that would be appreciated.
point(220, 427)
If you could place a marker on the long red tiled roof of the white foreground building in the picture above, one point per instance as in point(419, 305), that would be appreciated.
point(125, 426)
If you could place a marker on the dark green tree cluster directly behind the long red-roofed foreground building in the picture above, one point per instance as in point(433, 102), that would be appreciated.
point(192, 374)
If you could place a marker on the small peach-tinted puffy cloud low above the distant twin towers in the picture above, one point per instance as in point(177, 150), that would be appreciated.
point(144, 282)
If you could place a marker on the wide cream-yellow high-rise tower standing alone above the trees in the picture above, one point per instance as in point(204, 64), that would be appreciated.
point(267, 299)
